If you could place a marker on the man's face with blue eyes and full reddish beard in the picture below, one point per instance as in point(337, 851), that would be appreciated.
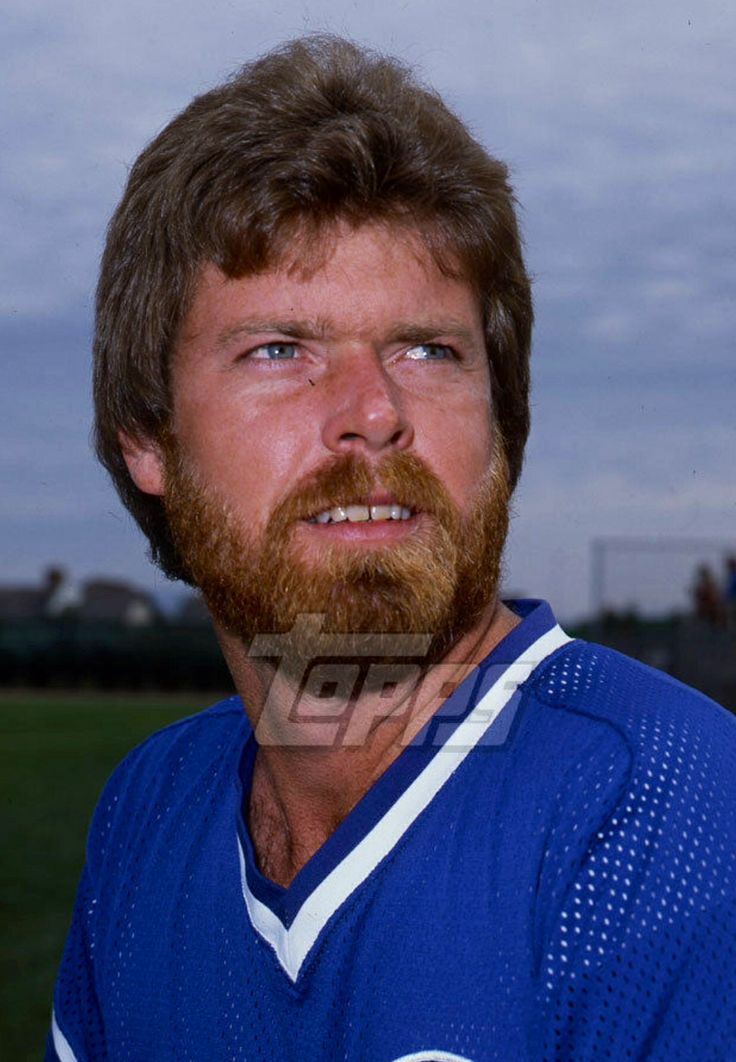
point(309, 400)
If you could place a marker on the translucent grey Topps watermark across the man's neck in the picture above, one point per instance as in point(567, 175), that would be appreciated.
point(392, 677)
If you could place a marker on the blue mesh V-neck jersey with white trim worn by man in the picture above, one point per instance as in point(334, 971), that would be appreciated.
point(549, 872)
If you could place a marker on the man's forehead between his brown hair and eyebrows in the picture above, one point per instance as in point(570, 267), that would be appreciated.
point(347, 281)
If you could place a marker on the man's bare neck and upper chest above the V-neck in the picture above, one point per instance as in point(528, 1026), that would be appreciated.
point(327, 733)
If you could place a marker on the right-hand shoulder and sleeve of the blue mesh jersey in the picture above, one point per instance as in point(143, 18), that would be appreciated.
point(640, 876)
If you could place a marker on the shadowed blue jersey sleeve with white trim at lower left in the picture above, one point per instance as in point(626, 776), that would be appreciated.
point(77, 1031)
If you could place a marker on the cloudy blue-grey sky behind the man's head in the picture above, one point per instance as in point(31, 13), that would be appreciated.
point(618, 121)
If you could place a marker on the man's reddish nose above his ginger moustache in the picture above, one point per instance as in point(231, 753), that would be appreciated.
point(366, 409)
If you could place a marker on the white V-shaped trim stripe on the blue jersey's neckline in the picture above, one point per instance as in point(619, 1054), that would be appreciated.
point(293, 946)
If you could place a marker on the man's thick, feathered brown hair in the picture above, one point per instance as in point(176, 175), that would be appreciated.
point(315, 132)
